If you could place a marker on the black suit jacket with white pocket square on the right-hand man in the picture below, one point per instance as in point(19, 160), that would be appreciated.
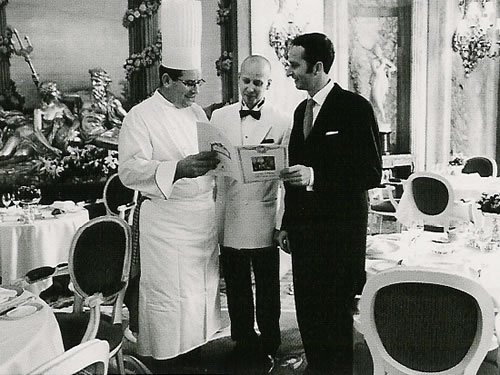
point(343, 148)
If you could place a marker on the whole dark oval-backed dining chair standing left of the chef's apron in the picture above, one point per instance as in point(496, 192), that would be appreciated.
point(99, 263)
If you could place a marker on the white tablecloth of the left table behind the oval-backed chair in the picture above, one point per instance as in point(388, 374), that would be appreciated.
point(45, 242)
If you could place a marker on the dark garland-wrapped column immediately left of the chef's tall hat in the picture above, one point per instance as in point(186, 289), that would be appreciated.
point(141, 20)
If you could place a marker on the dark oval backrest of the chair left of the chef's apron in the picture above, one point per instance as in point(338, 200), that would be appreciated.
point(99, 258)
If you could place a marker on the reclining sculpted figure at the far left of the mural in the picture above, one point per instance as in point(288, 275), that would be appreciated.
point(51, 130)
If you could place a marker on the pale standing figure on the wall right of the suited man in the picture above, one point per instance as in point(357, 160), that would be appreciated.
point(382, 68)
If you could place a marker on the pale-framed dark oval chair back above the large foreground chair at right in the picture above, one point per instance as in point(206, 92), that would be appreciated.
point(432, 196)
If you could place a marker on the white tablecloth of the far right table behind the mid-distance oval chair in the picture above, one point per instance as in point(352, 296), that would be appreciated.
point(468, 187)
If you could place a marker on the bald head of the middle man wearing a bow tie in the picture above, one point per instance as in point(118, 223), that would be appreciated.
point(254, 79)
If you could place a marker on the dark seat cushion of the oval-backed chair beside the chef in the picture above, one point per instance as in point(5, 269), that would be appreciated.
point(73, 326)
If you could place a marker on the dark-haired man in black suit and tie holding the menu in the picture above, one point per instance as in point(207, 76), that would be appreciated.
point(335, 158)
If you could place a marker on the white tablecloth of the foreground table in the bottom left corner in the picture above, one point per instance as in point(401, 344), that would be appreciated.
point(28, 342)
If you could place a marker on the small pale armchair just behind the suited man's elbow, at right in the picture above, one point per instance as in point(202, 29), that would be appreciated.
point(383, 204)
